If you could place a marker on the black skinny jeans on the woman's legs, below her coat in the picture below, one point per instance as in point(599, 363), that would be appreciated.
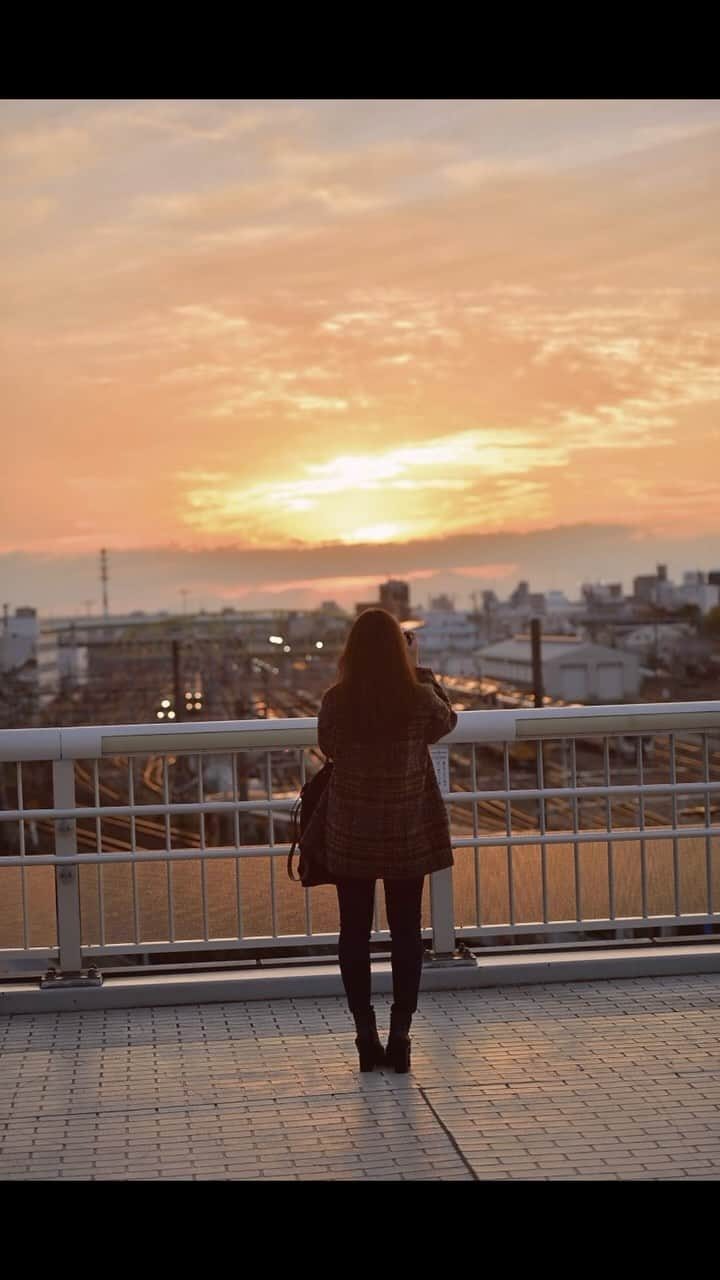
point(404, 902)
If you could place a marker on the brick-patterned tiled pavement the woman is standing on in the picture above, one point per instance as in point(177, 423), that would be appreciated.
point(617, 1080)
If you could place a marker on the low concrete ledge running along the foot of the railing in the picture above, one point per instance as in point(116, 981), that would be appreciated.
point(323, 980)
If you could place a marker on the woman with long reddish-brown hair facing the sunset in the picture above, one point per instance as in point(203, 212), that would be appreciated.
point(386, 819)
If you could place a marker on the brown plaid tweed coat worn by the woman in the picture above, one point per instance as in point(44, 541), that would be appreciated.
point(385, 813)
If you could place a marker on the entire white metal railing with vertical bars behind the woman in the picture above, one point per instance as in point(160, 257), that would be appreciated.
point(129, 840)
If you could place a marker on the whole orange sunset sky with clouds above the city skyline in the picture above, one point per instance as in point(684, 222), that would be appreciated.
point(271, 351)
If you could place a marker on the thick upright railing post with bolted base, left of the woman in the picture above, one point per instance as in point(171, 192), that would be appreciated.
point(67, 889)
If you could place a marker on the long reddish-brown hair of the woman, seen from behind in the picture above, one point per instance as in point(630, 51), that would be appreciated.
point(379, 678)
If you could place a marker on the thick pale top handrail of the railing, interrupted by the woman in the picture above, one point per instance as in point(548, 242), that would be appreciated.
point(90, 743)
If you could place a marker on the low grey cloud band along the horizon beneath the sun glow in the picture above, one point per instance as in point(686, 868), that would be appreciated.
point(152, 578)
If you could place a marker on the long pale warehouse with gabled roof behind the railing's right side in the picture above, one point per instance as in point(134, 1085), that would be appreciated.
point(573, 670)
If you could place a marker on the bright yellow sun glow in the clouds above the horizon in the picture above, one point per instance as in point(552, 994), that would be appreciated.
point(445, 484)
